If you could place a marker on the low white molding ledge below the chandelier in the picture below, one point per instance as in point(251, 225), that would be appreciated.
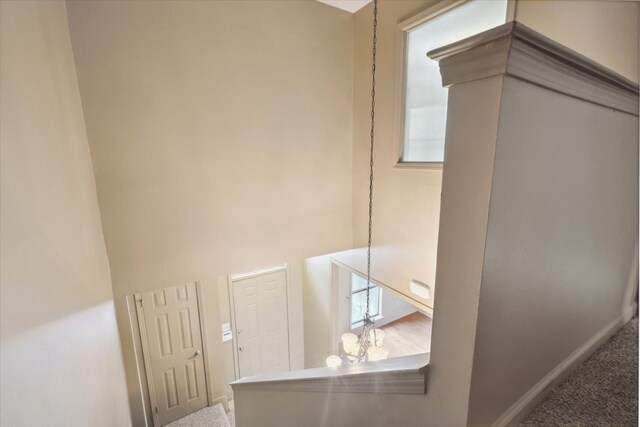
point(399, 375)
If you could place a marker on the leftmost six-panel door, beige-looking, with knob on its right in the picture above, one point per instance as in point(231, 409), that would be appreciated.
point(174, 350)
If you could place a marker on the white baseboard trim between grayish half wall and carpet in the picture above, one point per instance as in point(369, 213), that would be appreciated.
point(530, 399)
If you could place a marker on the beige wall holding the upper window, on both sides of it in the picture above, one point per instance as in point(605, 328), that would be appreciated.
point(407, 201)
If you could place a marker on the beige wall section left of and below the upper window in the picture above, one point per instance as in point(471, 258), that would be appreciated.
point(406, 201)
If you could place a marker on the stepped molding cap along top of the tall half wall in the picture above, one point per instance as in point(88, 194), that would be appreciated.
point(518, 51)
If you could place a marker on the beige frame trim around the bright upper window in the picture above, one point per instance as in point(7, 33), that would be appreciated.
point(404, 27)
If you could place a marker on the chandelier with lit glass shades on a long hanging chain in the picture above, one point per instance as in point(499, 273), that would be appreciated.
point(368, 346)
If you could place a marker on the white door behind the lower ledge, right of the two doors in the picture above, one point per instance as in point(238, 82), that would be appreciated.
point(262, 326)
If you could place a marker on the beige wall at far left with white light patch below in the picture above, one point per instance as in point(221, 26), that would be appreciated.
point(60, 361)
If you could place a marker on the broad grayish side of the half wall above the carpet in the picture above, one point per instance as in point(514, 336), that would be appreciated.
point(562, 232)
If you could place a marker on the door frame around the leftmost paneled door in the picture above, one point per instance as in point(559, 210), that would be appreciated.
point(142, 328)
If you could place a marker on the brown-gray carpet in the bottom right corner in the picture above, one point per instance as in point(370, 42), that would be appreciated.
point(603, 391)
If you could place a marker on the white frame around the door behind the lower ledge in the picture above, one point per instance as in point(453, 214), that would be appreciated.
point(233, 278)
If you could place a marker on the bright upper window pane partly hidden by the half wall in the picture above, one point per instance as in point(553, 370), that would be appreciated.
point(425, 100)
